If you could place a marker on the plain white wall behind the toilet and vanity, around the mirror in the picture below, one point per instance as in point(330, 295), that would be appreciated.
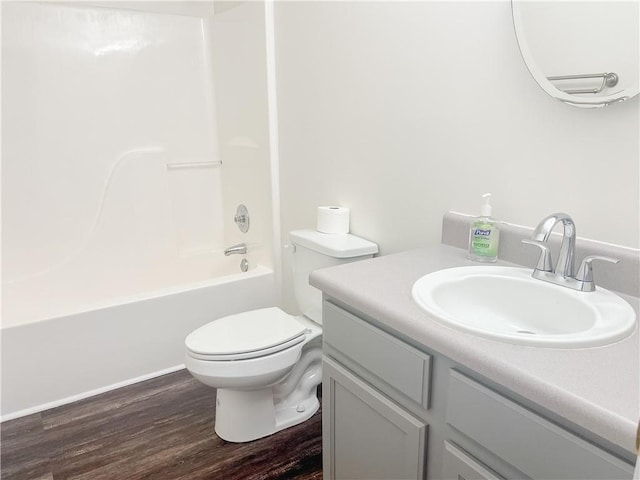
point(403, 111)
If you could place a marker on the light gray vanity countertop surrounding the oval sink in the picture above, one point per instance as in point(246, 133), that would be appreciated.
point(597, 388)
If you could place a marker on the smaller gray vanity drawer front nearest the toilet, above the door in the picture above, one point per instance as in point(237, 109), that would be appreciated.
point(388, 363)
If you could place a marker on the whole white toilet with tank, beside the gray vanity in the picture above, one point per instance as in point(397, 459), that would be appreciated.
point(265, 363)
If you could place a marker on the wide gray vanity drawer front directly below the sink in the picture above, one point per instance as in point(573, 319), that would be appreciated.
point(535, 446)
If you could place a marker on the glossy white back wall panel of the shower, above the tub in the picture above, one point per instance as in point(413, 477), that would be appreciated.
point(110, 160)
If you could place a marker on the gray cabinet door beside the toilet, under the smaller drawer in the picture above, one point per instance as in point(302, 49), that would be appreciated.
point(366, 435)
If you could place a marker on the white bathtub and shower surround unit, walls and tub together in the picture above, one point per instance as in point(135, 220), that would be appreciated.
point(111, 256)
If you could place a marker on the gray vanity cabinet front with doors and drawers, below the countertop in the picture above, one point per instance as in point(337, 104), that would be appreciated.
point(377, 402)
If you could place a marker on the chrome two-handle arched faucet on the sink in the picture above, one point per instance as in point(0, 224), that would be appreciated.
point(563, 274)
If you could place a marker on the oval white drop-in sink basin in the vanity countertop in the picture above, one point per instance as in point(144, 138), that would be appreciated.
point(506, 304)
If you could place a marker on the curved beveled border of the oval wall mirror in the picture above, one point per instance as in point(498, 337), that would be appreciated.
point(550, 88)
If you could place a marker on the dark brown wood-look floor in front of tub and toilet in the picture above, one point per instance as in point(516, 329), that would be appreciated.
point(158, 429)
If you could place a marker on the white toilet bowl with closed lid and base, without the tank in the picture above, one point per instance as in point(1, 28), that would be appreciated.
point(253, 401)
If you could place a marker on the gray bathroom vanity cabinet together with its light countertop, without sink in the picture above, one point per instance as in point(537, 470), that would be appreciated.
point(407, 397)
